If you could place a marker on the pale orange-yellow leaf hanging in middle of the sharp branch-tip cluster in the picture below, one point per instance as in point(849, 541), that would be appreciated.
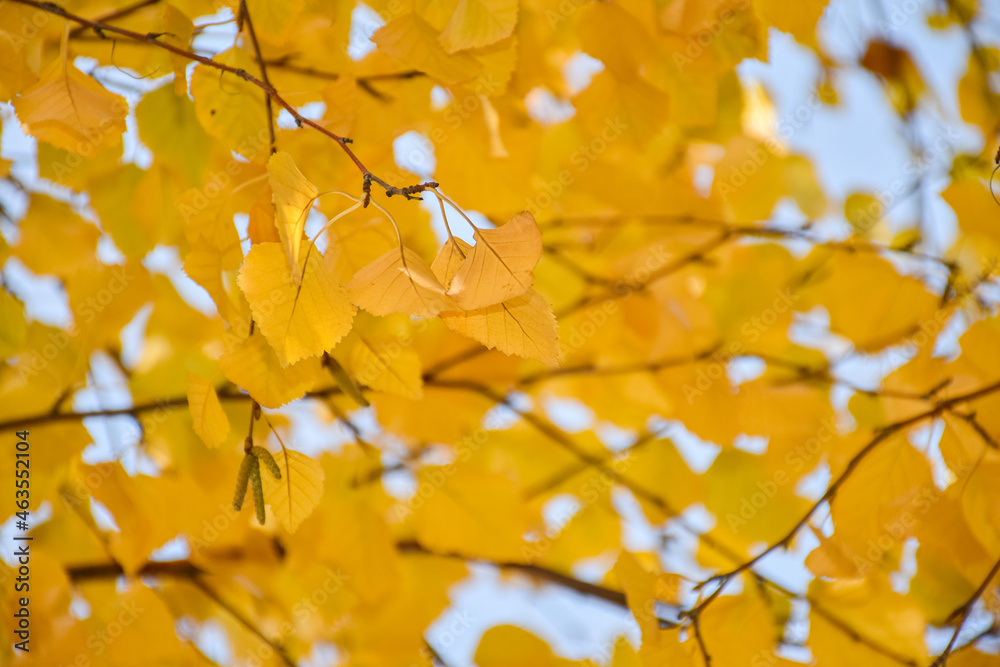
point(398, 283)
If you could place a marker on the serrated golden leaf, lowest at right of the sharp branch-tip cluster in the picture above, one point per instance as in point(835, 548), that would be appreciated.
point(523, 326)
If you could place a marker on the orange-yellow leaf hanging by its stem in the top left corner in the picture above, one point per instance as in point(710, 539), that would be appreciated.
point(72, 111)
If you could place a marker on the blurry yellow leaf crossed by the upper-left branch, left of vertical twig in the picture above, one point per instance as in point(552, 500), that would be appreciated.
point(230, 109)
